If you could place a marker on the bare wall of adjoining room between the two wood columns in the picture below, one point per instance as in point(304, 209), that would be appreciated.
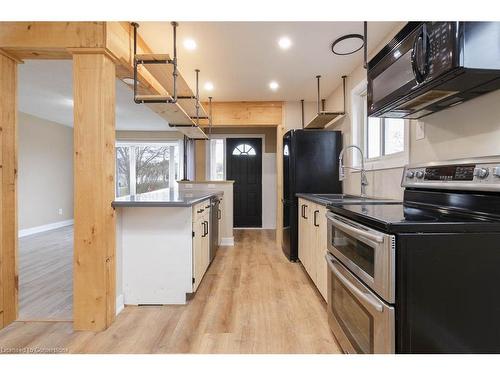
point(45, 172)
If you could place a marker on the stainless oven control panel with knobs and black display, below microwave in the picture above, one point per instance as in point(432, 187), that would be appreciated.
point(481, 175)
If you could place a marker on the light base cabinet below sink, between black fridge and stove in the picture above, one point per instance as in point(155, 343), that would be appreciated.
point(313, 242)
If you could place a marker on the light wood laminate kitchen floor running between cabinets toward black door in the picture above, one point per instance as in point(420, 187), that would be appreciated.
point(252, 300)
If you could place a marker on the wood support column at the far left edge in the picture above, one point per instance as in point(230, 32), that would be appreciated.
point(8, 191)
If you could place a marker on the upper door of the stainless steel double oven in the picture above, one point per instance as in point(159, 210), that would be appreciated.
point(367, 253)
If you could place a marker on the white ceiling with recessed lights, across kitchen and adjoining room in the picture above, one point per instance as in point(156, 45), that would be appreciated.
point(240, 58)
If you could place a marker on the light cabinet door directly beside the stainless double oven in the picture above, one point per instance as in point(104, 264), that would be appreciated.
point(320, 251)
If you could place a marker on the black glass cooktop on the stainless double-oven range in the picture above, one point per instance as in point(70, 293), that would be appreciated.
point(415, 218)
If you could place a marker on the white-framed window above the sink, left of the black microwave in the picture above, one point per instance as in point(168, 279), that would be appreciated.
point(384, 141)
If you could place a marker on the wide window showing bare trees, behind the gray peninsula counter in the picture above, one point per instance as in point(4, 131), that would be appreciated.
point(144, 167)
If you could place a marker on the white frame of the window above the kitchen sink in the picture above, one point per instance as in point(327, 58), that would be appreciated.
point(358, 135)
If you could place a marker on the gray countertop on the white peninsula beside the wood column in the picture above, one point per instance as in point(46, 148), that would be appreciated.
point(166, 198)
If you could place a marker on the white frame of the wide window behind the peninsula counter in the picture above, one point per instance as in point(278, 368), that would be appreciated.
point(151, 143)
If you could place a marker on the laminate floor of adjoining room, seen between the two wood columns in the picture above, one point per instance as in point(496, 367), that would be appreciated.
point(46, 275)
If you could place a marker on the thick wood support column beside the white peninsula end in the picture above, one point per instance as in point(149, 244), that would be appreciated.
point(94, 170)
